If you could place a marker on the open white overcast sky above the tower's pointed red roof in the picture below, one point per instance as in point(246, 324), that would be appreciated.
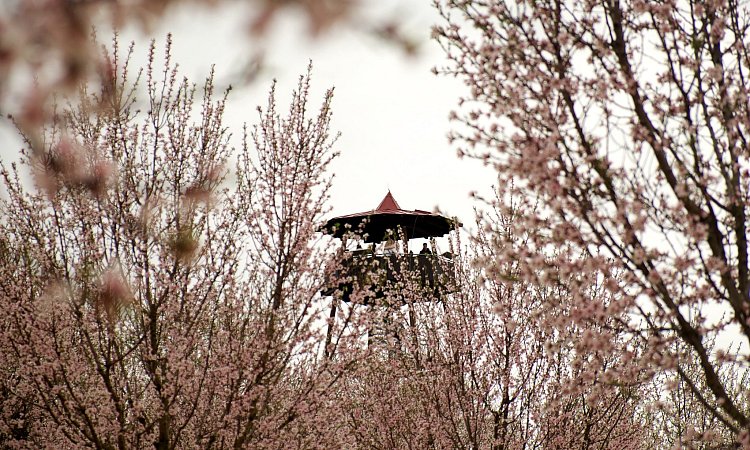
point(390, 109)
